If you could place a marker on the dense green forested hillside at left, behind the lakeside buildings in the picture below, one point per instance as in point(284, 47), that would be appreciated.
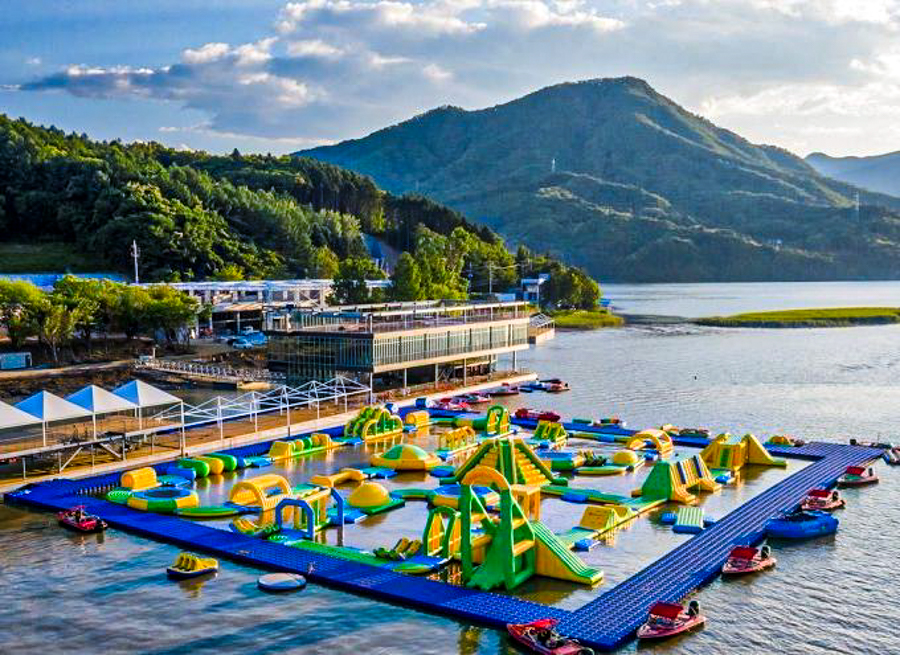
point(197, 216)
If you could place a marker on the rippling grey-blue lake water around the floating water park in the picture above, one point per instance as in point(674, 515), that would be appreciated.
point(836, 595)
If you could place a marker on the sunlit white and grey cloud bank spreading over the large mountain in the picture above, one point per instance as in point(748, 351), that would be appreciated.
point(771, 69)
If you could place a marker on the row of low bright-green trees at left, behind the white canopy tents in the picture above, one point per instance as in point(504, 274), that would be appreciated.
point(80, 307)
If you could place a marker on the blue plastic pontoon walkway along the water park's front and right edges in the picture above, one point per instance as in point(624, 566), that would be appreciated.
point(606, 623)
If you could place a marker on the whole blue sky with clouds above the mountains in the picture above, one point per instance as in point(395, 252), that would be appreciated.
point(266, 76)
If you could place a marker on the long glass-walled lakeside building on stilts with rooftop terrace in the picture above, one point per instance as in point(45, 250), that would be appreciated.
point(388, 344)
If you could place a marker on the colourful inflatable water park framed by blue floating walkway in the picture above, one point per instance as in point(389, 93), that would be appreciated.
point(476, 514)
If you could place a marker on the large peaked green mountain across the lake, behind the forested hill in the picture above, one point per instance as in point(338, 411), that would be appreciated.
point(610, 175)
